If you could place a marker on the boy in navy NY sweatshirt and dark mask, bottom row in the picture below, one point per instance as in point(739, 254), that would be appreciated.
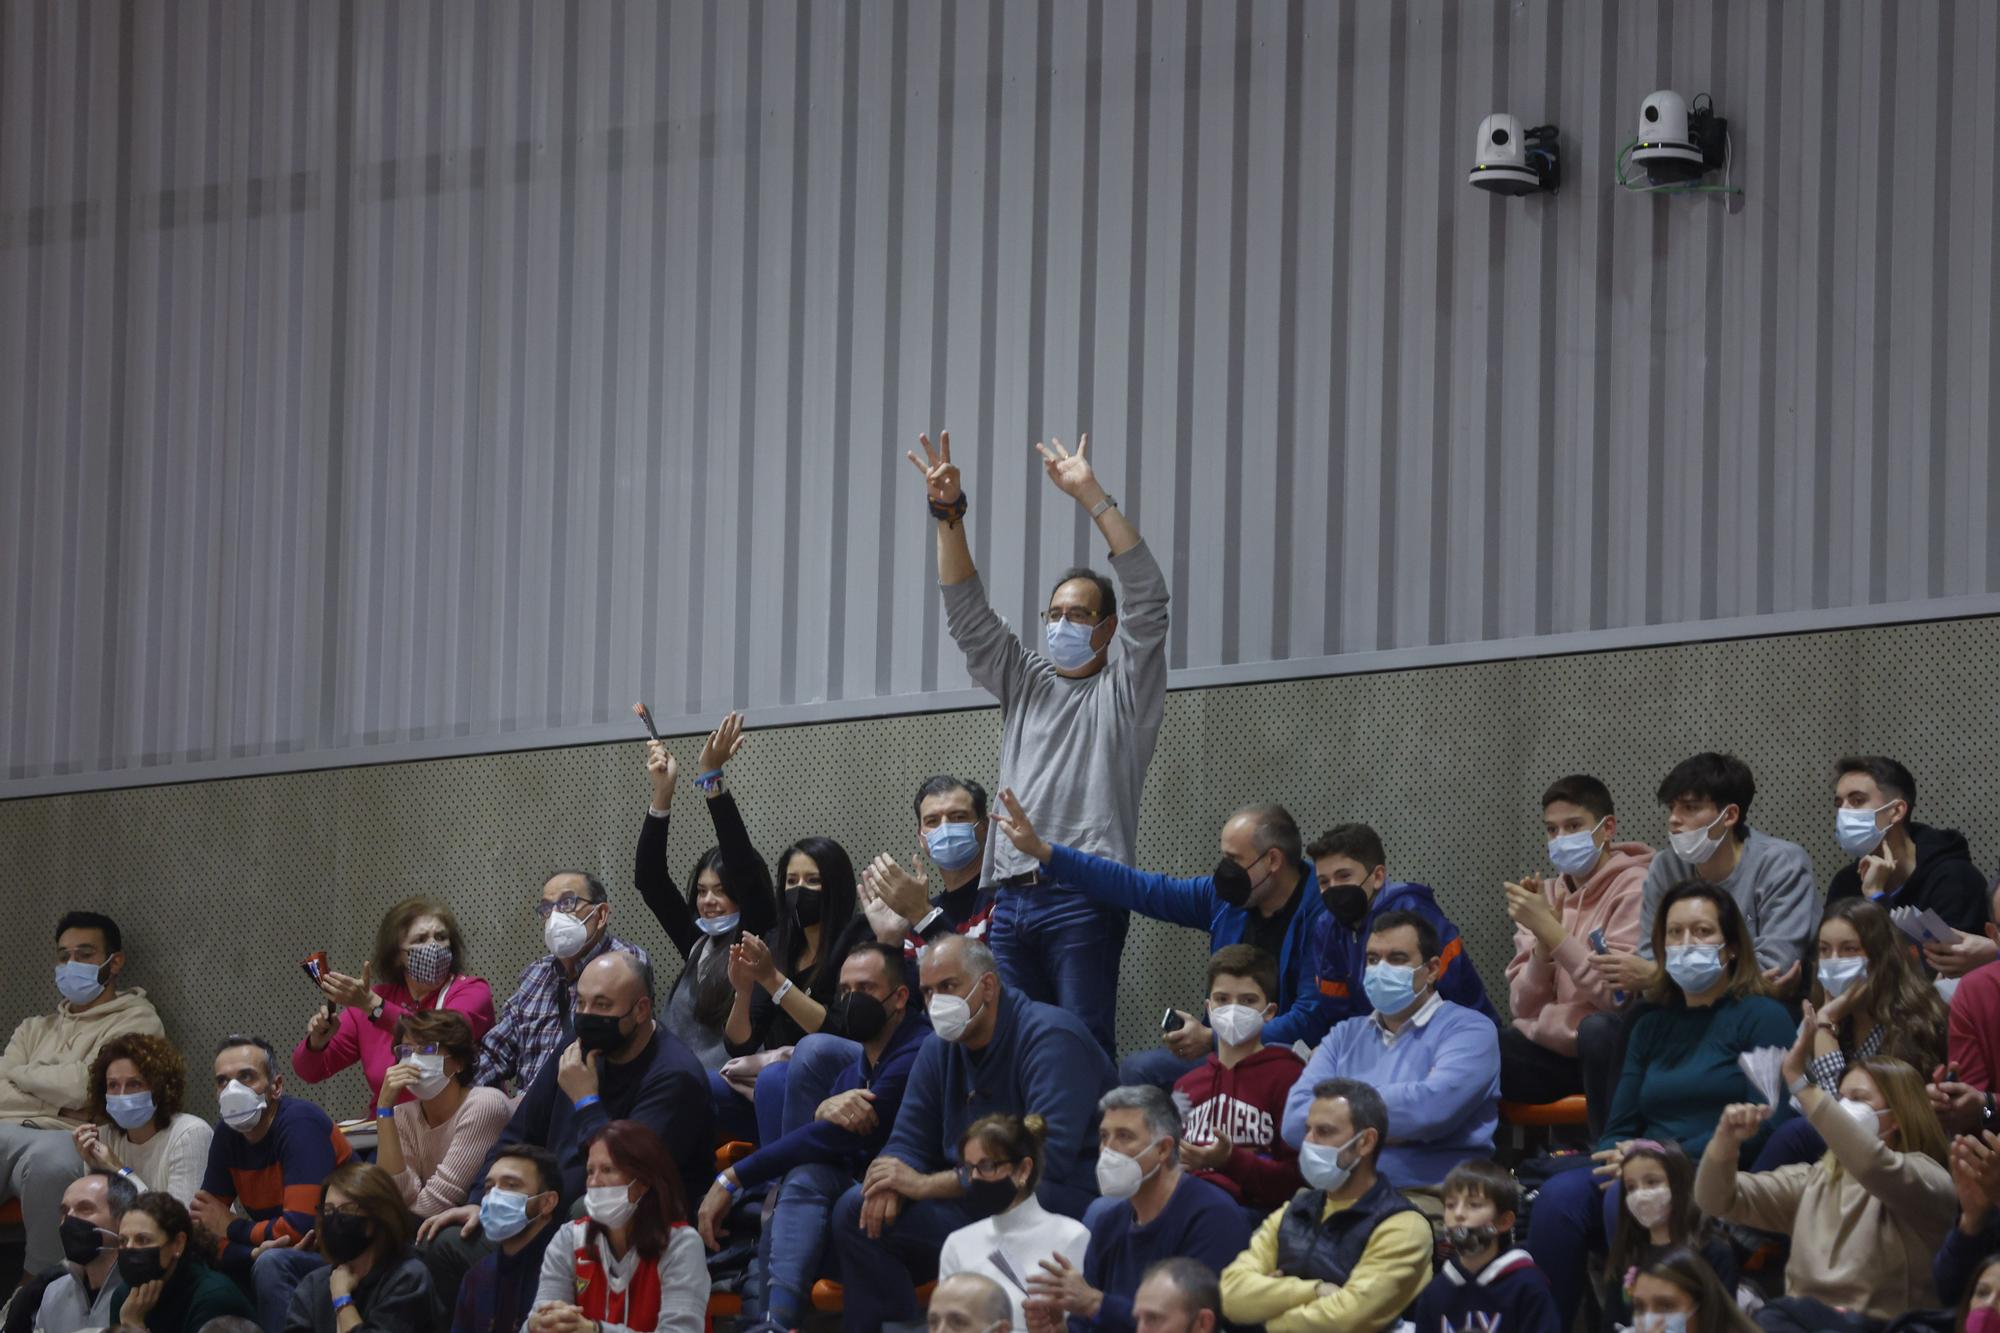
point(1479, 1286)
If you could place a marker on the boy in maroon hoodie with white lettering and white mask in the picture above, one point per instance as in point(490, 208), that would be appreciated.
point(1233, 1104)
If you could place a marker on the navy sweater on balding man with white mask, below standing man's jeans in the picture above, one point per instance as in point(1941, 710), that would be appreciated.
point(1043, 1062)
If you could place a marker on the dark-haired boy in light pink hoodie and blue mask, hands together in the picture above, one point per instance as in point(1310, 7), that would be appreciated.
point(1599, 886)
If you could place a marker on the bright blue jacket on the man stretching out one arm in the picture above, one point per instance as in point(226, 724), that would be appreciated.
point(1305, 1012)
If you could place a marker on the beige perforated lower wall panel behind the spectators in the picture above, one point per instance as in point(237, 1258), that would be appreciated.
point(223, 888)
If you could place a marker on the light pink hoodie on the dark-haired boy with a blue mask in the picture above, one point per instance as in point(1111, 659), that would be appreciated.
point(1553, 994)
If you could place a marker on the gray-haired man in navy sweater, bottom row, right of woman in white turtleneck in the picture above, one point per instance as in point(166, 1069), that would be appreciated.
point(1151, 1212)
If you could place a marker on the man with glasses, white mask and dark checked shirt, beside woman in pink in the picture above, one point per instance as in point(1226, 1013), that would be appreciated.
point(535, 1022)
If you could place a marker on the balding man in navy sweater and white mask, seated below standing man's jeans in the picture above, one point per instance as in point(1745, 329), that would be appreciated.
point(995, 1054)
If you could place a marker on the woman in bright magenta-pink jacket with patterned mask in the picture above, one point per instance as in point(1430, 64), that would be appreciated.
point(419, 956)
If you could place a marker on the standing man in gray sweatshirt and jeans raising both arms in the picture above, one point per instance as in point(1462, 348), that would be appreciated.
point(1079, 730)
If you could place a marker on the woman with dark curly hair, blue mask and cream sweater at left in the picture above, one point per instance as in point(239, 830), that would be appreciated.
point(139, 1128)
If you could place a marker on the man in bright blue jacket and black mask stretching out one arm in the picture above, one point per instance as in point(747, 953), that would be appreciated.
point(1263, 892)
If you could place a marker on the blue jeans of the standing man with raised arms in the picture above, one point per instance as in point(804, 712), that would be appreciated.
point(1059, 948)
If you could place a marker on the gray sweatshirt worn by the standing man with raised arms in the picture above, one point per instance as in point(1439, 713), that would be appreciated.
point(1075, 752)
